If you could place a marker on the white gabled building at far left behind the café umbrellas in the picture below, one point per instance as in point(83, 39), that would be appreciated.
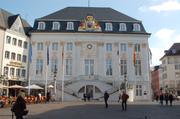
point(14, 45)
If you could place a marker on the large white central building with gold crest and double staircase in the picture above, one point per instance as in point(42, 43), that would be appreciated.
point(99, 48)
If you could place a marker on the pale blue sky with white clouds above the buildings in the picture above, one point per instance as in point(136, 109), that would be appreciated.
point(161, 18)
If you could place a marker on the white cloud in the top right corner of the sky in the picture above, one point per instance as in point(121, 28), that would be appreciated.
point(170, 5)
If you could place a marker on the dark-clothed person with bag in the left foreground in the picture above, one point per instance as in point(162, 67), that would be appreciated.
point(19, 108)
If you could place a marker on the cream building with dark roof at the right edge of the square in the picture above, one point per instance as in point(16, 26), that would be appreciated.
point(171, 69)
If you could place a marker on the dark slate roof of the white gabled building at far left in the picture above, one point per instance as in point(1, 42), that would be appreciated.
point(7, 19)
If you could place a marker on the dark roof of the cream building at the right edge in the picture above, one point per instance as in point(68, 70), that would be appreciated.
point(174, 50)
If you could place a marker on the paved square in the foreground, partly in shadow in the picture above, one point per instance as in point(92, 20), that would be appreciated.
point(97, 110)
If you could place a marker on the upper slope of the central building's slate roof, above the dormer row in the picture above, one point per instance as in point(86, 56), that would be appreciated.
point(79, 13)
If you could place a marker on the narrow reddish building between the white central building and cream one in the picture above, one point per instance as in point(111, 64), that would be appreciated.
point(155, 81)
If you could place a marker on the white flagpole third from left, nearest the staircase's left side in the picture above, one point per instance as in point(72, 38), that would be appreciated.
point(62, 91)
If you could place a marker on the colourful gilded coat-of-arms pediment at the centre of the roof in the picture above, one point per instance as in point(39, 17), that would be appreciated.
point(89, 24)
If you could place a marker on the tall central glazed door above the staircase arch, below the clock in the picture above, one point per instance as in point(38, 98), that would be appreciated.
point(89, 67)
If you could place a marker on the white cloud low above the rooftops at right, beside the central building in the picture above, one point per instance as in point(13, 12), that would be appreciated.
point(165, 38)
